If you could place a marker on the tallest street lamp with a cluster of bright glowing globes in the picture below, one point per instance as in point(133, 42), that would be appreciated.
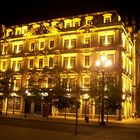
point(102, 64)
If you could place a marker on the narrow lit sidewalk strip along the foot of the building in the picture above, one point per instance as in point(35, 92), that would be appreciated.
point(72, 120)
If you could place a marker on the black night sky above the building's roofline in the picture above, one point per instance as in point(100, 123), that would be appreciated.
point(25, 11)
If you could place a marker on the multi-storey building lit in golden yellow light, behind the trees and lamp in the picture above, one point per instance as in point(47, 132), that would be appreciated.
point(76, 42)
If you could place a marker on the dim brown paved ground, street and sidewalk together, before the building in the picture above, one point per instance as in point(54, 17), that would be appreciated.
point(35, 127)
